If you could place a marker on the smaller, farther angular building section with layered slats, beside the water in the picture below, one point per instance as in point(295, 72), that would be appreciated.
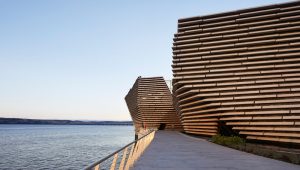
point(150, 105)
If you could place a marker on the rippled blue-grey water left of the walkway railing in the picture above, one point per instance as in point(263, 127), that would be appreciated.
point(59, 146)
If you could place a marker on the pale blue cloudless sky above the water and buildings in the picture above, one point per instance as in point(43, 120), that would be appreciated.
point(77, 59)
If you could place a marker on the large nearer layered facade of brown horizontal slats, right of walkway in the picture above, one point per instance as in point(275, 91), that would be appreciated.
point(241, 69)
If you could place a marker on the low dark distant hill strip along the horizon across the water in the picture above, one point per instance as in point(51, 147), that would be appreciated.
point(61, 122)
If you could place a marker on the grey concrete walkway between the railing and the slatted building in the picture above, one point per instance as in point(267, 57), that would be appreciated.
point(173, 150)
